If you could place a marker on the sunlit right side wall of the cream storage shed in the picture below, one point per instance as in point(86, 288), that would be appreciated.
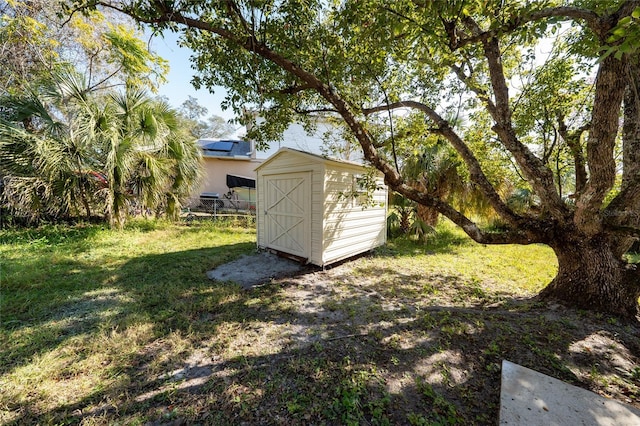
point(349, 226)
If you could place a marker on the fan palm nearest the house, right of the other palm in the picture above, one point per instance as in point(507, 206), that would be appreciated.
point(150, 160)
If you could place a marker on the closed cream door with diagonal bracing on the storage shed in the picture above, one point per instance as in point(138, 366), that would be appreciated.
point(288, 213)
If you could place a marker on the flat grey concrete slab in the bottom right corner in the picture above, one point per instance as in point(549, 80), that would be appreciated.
point(531, 398)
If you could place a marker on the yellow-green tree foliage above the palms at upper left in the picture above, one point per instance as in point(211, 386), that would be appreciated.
point(37, 38)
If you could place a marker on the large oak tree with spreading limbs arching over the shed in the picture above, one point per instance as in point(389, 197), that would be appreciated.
point(473, 71)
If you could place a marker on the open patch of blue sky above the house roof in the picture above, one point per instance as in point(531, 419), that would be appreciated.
point(178, 87)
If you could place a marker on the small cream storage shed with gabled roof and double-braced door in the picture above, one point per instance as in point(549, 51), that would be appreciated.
point(316, 209)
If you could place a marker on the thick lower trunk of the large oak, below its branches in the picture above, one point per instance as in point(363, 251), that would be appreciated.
point(590, 276)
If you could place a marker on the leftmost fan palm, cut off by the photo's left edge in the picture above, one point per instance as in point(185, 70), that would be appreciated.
point(39, 151)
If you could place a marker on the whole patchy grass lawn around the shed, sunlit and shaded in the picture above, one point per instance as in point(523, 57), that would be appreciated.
point(107, 327)
